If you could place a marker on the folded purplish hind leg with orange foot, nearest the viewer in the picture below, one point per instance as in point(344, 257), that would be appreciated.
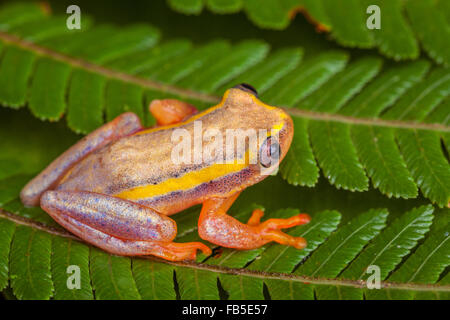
point(118, 226)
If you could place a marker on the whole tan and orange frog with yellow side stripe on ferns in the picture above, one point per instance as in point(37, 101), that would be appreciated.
point(117, 187)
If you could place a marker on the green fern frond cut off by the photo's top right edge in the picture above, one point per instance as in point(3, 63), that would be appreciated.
point(403, 24)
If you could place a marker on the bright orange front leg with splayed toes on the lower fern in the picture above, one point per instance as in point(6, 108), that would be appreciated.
point(216, 226)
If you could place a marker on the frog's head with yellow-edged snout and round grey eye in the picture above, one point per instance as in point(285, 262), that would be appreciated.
point(245, 108)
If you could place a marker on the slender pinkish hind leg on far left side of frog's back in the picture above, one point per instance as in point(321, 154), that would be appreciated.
point(124, 125)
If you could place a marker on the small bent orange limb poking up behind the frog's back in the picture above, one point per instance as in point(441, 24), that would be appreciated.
point(171, 111)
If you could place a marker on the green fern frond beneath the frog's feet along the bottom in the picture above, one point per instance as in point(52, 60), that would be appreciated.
point(119, 277)
